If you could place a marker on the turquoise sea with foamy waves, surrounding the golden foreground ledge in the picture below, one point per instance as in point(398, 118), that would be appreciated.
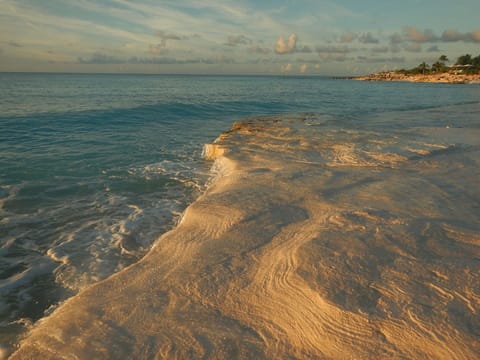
point(94, 168)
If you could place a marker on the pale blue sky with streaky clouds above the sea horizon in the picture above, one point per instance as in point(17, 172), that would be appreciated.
point(311, 37)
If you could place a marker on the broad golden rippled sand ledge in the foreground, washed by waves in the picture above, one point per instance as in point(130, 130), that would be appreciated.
point(311, 242)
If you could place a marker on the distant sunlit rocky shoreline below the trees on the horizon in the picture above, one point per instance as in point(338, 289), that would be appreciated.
point(442, 78)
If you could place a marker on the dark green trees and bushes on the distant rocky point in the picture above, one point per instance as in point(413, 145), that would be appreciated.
point(465, 64)
